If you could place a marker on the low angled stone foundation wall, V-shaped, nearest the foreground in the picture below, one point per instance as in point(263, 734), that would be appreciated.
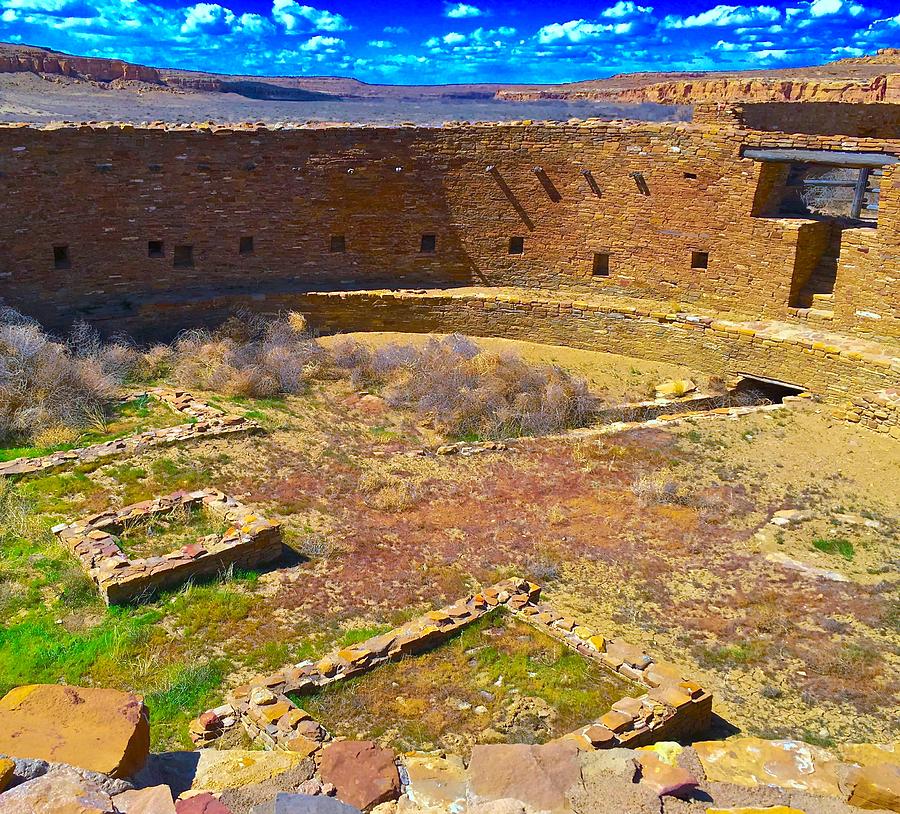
point(674, 706)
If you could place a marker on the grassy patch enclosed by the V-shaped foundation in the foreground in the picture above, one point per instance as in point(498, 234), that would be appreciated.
point(497, 673)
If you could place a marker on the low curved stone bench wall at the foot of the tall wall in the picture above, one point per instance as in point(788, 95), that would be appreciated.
point(836, 372)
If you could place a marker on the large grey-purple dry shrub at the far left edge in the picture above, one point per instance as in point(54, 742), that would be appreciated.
point(47, 384)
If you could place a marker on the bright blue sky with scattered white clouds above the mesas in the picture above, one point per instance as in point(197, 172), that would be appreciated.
point(428, 42)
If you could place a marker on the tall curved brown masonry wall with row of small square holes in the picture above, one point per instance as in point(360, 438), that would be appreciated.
point(655, 194)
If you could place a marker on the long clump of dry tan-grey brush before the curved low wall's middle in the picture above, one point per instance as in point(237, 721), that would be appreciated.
point(451, 383)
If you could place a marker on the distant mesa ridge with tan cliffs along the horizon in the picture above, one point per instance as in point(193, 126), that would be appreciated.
point(866, 79)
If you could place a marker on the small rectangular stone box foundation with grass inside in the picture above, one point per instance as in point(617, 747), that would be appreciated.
point(251, 540)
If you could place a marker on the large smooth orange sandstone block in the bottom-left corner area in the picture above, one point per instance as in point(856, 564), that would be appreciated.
point(101, 730)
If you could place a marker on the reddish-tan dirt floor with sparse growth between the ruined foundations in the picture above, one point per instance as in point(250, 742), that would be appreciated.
point(660, 536)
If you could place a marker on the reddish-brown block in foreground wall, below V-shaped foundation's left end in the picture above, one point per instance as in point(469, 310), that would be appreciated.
point(363, 773)
